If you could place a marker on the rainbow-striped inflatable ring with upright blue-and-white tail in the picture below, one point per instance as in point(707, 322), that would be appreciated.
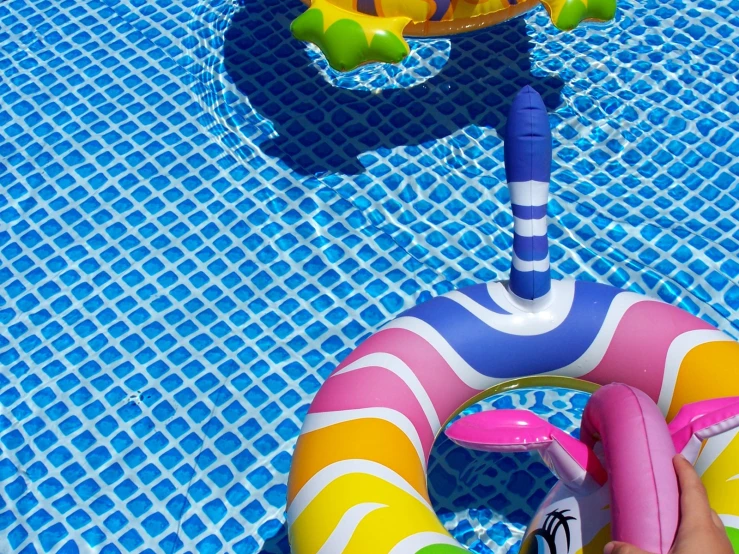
point(358, 478)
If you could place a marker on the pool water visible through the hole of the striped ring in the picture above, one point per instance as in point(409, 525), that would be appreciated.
point(487, 499)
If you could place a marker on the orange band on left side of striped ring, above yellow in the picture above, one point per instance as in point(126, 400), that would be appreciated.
point(365, 439)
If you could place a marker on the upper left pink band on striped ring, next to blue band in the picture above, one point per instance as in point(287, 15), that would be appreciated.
point(446, 391)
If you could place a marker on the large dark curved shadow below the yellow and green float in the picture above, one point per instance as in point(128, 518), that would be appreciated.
point(321, 128)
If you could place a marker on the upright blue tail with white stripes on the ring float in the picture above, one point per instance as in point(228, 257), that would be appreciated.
point(528, 157)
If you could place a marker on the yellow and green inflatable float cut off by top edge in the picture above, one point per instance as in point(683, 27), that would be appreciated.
point(351, 33)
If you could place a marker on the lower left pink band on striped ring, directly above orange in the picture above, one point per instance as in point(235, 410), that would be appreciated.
point(374, 387)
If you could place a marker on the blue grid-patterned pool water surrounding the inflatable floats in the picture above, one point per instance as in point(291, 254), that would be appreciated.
point(198, 220)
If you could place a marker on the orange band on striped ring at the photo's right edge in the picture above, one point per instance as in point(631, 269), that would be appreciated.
point(710, 370)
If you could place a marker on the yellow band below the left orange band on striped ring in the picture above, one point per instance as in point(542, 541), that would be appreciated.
point(378, 530)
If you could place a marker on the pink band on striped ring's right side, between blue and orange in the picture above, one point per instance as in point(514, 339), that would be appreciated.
point(638, 349)
